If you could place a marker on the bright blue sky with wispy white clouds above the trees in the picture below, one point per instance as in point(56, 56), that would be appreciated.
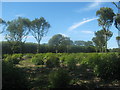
point(76, 20)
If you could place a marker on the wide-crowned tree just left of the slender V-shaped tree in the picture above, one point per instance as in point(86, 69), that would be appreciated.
point(17, 31)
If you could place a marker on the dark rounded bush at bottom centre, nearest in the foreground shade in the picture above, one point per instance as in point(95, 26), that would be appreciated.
point(59, 78)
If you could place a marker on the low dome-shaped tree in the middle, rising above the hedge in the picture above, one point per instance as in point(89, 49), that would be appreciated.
point(59, 40)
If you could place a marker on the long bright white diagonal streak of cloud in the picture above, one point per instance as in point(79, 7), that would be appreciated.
point(80, 23)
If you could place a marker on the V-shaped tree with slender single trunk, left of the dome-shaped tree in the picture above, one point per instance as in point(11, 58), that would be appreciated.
point(39, 28)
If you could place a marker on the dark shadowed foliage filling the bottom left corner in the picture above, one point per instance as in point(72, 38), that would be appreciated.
point(13, 78)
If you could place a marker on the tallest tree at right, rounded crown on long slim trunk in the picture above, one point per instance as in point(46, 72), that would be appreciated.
point(105, 21)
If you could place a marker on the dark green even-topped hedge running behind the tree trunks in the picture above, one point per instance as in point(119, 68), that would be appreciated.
point(45, 48)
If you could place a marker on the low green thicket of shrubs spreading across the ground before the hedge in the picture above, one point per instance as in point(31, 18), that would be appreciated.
point(104, 65)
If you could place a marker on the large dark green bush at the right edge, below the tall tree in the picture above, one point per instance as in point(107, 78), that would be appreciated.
point(108, 67)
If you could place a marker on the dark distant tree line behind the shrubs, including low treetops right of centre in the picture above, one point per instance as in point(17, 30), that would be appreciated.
point(45, 48)
